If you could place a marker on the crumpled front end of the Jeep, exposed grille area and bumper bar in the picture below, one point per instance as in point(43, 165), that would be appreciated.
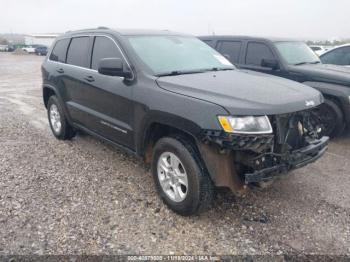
point(260, 158)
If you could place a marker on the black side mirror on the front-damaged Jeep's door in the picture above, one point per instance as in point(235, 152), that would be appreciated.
point(112, 67)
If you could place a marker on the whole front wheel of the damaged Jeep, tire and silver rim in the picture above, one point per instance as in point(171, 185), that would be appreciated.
point(181, 180)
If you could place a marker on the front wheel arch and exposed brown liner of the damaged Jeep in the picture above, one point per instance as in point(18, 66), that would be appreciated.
point(220, 167)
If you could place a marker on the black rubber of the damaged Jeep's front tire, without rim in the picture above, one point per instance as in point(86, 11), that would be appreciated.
point(200, 190)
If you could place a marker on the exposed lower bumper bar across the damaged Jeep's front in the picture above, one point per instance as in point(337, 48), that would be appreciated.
point(290, 161)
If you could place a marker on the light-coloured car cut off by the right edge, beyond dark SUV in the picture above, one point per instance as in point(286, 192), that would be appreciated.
point(337, 56)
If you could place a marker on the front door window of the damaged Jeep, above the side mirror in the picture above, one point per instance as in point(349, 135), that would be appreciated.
point(104, 48)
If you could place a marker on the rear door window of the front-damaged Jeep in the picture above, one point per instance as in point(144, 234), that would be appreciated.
point(78, 52)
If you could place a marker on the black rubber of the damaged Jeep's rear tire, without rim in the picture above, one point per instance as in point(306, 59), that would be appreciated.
point(66, 131)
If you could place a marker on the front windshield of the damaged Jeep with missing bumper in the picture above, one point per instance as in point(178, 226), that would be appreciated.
point(181, 54)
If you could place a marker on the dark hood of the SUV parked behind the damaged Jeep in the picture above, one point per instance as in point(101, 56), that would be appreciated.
point(324, 73)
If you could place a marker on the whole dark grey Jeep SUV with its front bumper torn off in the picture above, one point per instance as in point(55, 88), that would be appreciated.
point(181, 106)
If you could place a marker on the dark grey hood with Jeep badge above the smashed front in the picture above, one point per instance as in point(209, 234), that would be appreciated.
point(243, 92)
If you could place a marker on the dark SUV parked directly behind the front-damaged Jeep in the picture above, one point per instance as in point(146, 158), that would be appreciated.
point(296, 61)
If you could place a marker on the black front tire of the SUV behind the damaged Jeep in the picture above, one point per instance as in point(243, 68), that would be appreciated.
point(331, 117)
